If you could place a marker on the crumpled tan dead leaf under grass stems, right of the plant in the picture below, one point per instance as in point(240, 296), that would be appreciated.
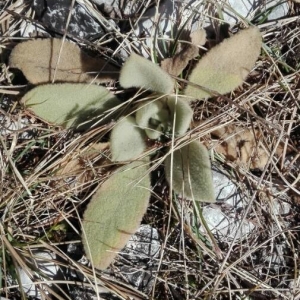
point(243, 146)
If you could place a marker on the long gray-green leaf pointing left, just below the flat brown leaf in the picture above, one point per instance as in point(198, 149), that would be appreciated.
point(69, 104)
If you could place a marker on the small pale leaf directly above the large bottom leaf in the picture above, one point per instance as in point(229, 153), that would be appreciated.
point(127, 140)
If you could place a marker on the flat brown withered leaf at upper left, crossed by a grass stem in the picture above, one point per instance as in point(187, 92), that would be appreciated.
point(52, 60)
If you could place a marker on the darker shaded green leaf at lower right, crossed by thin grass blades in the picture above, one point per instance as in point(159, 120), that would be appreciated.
point(192, 176)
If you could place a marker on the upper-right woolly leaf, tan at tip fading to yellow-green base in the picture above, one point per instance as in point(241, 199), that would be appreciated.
point(226, 65)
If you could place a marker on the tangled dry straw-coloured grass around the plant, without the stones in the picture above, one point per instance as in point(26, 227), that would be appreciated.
point(40, 210)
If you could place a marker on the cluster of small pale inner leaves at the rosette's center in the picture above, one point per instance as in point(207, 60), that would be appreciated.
point(152, 117)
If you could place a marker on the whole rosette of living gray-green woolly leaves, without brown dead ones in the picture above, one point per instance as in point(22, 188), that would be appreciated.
point(117, 208)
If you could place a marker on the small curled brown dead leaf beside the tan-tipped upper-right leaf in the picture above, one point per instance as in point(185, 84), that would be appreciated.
point(175, 65)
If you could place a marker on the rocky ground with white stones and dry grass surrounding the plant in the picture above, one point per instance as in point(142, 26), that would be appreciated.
point(244, 246)
